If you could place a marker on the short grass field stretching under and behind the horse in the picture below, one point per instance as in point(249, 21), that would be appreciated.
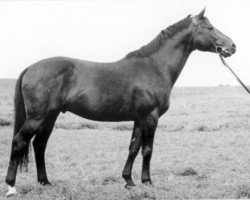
point(206, 131)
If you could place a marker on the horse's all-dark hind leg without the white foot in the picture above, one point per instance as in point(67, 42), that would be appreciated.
point(40, 143)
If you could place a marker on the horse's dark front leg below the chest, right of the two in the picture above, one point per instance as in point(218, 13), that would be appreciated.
point(148, 132)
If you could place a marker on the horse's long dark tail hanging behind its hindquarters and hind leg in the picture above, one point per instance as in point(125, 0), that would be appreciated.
point(19, 119)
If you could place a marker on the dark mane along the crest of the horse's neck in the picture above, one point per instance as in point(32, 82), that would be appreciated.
point(157, 43)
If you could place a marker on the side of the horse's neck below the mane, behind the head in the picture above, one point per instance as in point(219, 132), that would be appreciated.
point(172, 57)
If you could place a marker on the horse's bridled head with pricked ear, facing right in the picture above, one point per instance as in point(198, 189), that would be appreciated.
point(208, 38)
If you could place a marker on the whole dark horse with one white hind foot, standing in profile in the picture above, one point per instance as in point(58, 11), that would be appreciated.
point(136, 88)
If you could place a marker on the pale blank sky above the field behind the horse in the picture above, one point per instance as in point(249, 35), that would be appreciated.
point(106, 30)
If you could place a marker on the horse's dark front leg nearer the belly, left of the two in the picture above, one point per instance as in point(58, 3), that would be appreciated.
point(134, 148)
